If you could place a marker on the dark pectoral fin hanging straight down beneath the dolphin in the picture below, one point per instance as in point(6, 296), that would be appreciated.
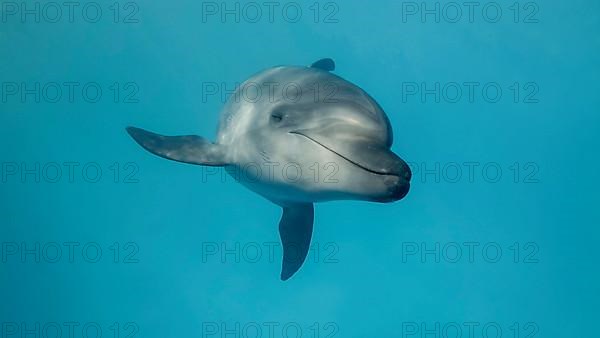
point(295, 230)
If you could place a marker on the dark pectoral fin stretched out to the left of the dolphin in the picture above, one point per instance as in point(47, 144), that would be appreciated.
point(187, 149)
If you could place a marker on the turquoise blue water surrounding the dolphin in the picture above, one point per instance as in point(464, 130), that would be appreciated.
point(496, 235)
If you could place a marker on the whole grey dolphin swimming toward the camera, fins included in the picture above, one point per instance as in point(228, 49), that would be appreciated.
point(296, 136)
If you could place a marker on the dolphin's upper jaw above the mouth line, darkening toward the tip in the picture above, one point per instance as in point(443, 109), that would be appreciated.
point(360, 151)
